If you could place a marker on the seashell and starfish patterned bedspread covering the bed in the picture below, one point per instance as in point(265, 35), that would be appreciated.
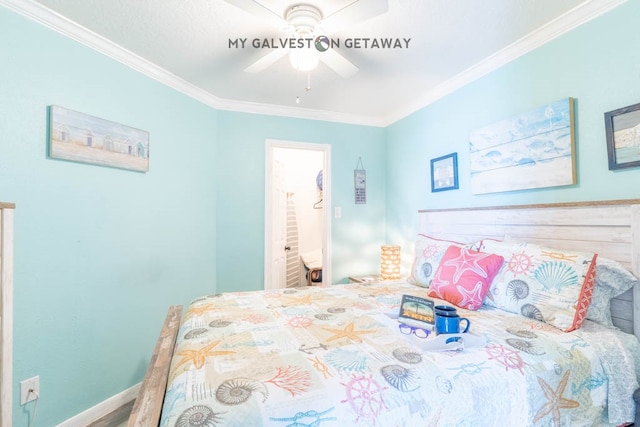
point(330, 356)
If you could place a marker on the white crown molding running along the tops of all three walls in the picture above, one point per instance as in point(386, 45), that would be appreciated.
point(579, 15)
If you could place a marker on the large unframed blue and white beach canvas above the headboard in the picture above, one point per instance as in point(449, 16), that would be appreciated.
point(531, 150)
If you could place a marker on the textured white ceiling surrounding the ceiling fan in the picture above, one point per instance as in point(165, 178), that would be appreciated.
point(189, 42)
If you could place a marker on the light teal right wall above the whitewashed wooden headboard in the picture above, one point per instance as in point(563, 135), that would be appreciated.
point(598, 64)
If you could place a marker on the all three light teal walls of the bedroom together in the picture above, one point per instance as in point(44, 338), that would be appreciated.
point(101, 253)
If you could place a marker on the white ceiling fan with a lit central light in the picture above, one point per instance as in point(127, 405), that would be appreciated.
point(304, 21)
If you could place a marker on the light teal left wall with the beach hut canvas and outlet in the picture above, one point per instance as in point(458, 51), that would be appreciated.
point(100, 253)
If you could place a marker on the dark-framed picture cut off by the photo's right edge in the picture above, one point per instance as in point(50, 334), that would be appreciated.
point(623, 137)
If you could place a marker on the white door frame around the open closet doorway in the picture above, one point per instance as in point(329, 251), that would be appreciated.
point(270, 145)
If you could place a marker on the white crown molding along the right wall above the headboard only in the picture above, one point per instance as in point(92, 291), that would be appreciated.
point(563, 24)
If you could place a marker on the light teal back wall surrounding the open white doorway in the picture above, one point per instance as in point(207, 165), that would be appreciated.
point(356, 237)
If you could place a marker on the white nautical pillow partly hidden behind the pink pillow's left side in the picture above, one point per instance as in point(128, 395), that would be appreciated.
point(428, 253)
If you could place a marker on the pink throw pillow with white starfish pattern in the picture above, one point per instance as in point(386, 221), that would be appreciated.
point(464, 276)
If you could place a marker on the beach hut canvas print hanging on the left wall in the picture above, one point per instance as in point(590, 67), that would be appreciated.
point(83, 138)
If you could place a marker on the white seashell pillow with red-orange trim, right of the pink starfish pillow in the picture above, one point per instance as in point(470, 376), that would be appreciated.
point(551, 285)
